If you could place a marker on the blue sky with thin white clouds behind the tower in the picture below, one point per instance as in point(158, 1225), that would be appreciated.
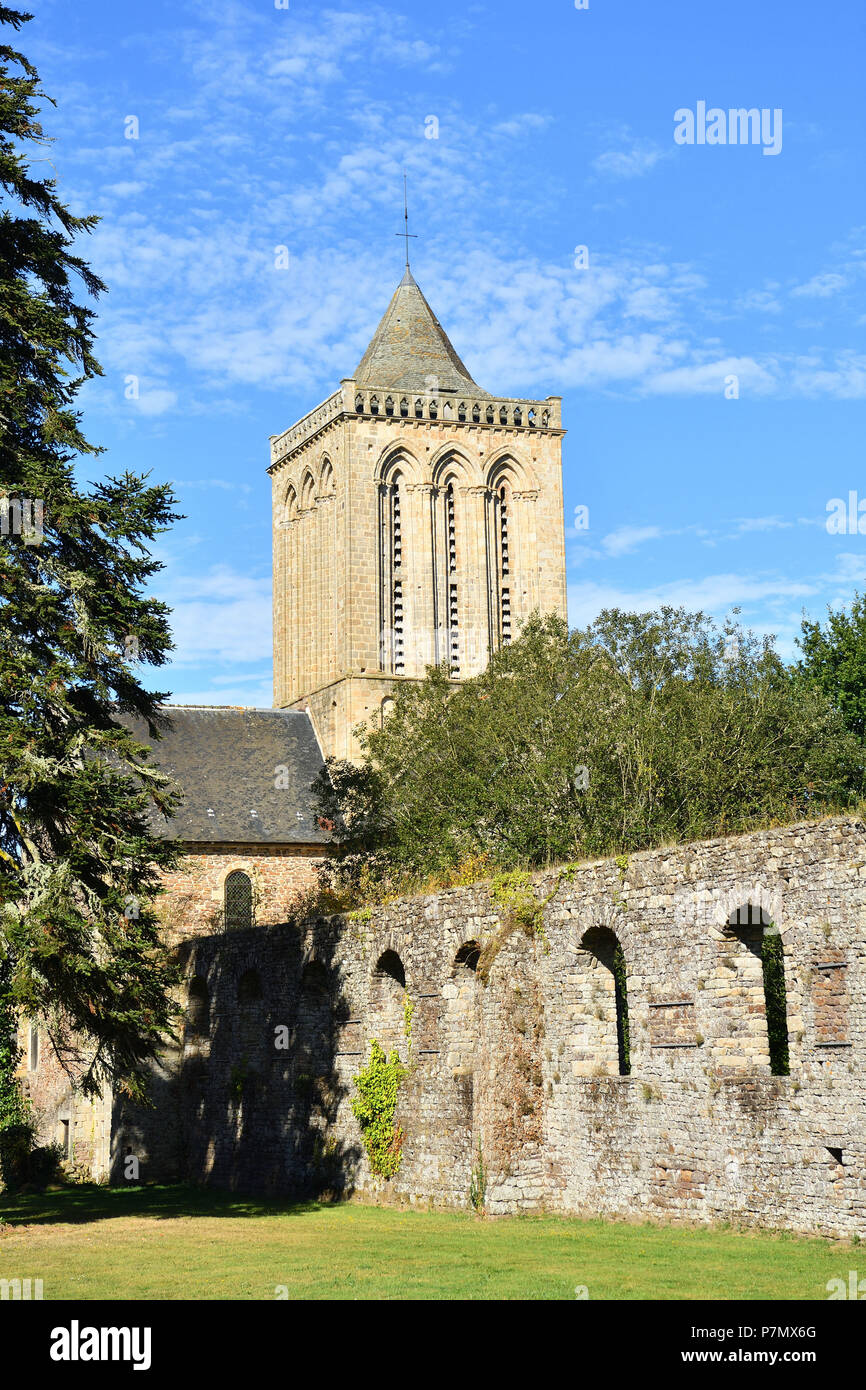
point(263, 127)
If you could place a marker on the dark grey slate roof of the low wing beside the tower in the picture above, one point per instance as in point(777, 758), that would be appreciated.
point(227, 761)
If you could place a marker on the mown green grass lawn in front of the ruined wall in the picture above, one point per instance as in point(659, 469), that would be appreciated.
point(184, 1243)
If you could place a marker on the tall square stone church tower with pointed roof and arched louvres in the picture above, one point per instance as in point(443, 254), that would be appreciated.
point(418, 521)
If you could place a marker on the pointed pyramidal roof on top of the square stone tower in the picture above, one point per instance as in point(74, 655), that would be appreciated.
point(409, 347)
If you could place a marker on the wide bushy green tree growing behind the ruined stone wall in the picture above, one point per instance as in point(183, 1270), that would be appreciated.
point(639, 730)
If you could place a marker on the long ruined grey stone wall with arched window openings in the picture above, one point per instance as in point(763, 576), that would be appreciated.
point(526, 1068)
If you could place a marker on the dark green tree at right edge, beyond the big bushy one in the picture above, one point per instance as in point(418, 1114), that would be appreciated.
point(835, 662)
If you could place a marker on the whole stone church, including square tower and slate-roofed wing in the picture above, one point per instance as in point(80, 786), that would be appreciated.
point(418, 519)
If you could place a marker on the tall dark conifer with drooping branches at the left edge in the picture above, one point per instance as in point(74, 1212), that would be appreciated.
point(80, 867)
